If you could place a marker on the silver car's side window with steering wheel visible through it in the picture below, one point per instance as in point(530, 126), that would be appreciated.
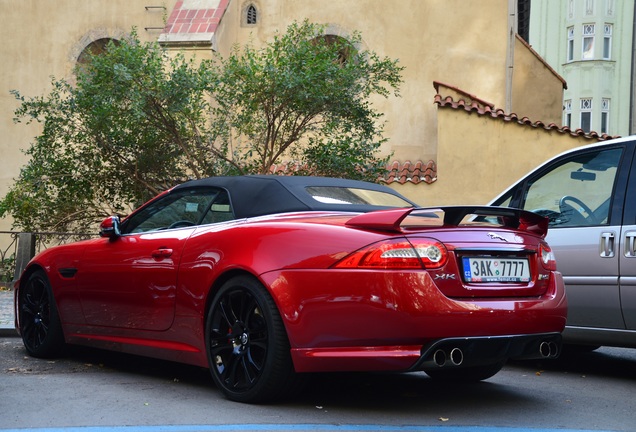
point(577, 192)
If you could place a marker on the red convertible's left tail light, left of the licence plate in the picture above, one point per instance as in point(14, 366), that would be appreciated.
point(420, 253)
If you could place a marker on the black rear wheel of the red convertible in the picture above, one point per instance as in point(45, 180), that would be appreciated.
point(247, 346)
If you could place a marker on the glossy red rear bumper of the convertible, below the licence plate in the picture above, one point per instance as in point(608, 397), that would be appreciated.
point(396, 321)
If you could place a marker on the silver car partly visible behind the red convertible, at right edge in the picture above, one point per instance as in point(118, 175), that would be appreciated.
point(589, 196)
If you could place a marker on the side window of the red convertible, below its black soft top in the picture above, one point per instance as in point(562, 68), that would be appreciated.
point(182, 208)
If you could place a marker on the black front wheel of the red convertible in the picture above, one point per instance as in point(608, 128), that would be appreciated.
point(40, 325)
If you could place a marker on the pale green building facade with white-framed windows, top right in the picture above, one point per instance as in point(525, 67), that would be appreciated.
point(590, 44)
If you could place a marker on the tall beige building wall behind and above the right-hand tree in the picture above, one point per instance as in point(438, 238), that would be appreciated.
point(433, 39)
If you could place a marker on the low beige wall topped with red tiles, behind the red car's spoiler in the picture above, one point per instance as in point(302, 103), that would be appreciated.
point(480, 155)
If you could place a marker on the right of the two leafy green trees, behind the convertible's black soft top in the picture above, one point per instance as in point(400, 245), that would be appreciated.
point(304, 88)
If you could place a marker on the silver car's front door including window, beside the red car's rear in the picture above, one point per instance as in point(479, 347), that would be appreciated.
point(577, 194)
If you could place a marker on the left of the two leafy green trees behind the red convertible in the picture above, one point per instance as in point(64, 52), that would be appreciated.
point(134, 123)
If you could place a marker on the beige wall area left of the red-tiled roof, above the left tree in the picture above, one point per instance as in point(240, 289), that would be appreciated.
point(43, 39)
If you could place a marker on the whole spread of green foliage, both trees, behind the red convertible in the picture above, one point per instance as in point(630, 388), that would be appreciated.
point(139, 120)
